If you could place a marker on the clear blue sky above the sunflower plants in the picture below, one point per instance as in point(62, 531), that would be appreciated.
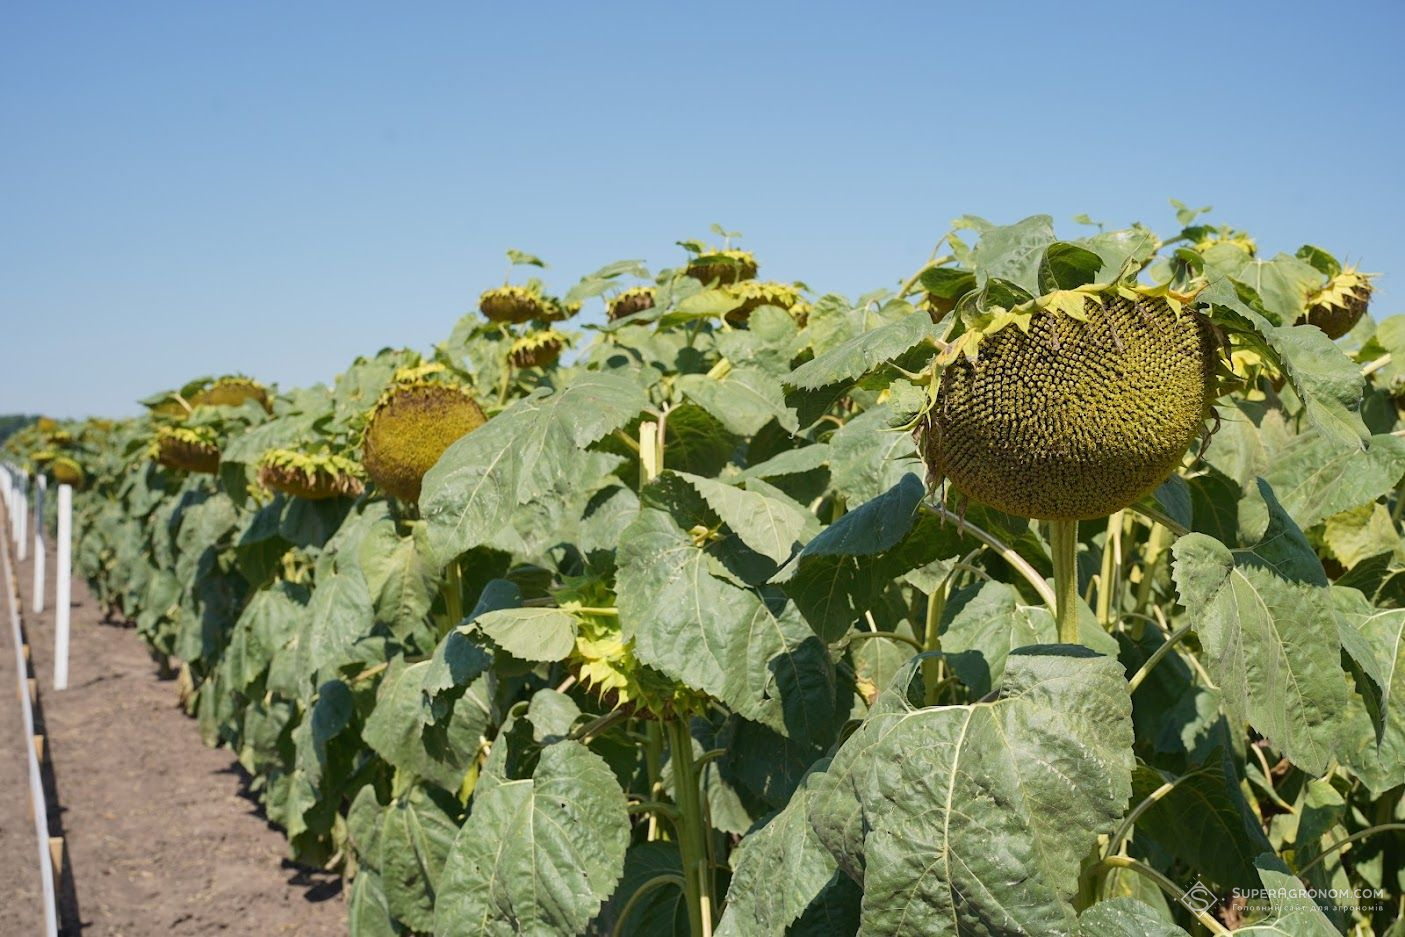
point(275, 189)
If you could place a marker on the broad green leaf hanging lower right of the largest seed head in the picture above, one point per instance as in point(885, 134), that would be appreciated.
point(1264, 616)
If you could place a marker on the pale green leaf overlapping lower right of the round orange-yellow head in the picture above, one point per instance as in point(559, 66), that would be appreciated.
point(532, 447)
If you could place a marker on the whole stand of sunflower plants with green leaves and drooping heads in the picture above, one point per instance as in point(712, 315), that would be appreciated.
point(1059, 591)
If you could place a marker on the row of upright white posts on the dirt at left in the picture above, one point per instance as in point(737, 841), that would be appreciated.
point(16, 488)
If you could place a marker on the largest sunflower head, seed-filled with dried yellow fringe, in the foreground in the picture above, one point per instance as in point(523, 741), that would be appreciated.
point(1080, 409)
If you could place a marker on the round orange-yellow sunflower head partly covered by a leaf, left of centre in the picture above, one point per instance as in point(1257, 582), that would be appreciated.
point(410, 429)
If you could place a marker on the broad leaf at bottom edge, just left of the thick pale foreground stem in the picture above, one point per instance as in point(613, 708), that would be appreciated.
point(540, 856)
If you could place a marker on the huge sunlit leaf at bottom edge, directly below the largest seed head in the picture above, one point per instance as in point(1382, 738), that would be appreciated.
point(974, 820)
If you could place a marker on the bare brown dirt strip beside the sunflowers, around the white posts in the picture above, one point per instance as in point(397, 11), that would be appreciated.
point(162, 837)
